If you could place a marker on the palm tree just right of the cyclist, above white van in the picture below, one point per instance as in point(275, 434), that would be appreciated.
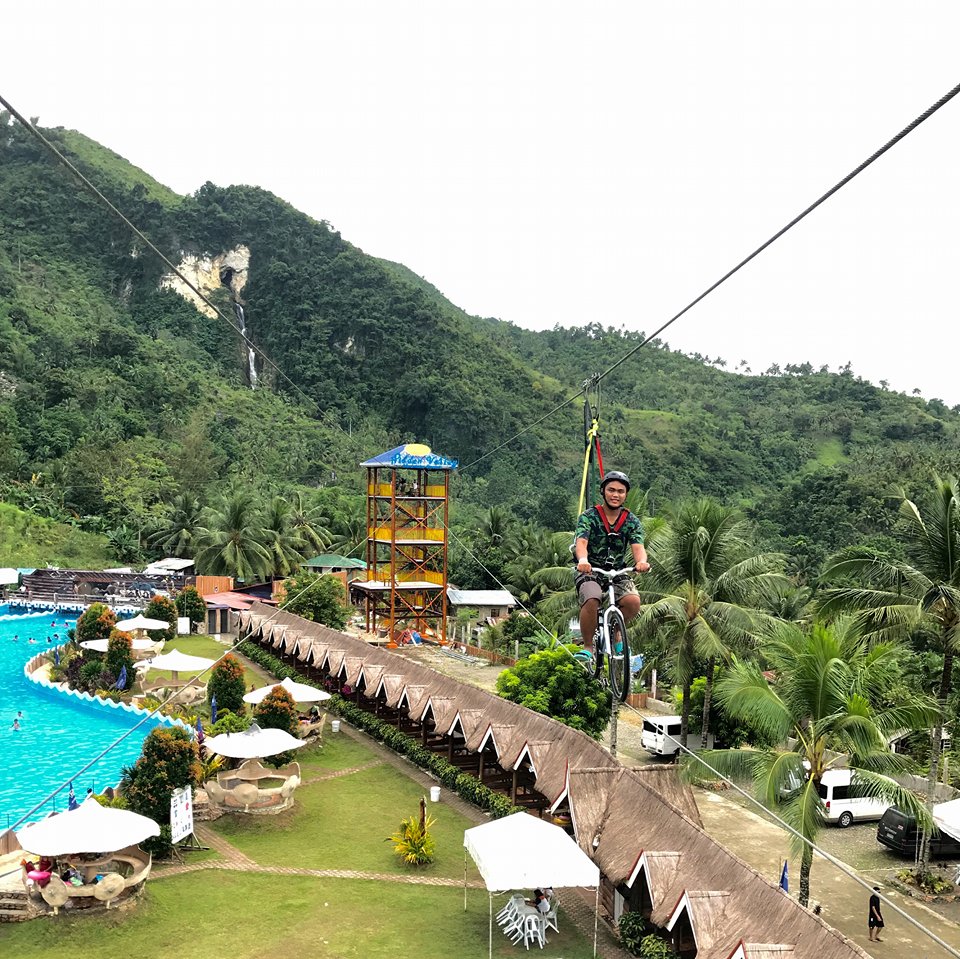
point(707, 593)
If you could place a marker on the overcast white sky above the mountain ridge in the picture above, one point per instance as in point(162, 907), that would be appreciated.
point(564, 162)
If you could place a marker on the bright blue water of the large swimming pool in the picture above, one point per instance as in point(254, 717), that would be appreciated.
point(59, 733)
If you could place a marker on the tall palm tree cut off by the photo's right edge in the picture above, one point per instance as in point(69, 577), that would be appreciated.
point(921, 597)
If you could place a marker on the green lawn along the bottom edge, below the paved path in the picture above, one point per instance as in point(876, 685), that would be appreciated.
point(256, 916)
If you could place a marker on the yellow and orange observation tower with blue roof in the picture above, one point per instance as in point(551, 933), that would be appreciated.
point(408, 498)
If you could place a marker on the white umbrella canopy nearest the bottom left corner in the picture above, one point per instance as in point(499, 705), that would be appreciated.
point(88, 828)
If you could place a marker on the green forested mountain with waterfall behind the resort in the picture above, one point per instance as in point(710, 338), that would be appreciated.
point(117, 394)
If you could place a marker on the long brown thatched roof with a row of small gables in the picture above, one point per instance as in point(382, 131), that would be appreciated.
point(640, 825)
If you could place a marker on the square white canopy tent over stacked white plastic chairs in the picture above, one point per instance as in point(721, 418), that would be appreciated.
point(523, 852)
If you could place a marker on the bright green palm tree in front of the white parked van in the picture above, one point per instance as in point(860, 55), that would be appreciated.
point(828, 680)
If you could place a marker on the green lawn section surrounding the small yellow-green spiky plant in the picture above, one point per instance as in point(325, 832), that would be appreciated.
point(343, 823)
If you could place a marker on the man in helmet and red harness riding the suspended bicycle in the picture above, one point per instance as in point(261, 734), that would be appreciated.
point(606, 534)
